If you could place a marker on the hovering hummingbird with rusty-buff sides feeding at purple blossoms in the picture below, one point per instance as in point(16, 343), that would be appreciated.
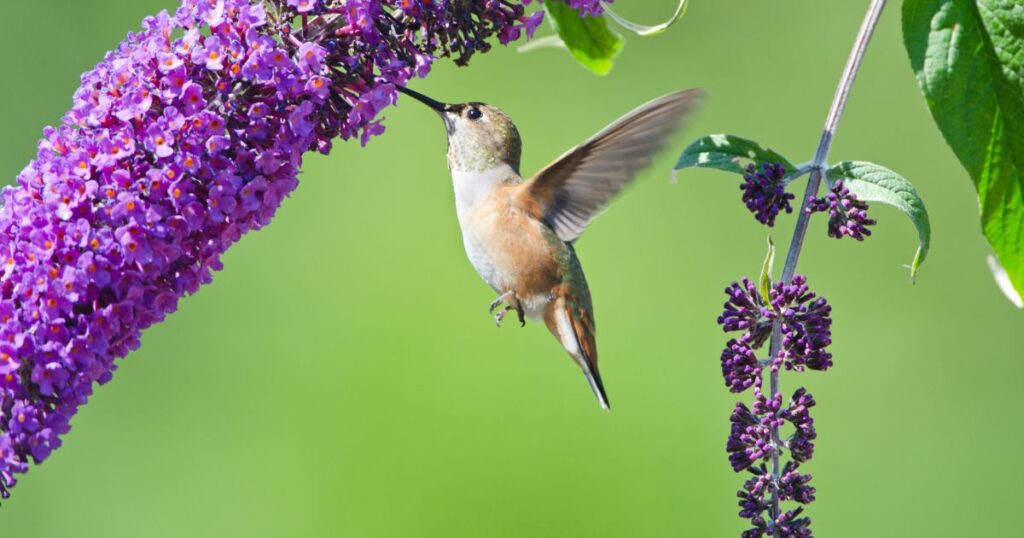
point(520, 234)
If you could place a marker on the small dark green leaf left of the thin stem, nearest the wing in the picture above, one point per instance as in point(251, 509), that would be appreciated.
point(729, 153)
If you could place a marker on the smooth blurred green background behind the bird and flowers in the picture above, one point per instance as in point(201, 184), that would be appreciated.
point(342, 378)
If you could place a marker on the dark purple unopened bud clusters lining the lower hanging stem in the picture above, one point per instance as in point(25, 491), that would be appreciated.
point(804, 322)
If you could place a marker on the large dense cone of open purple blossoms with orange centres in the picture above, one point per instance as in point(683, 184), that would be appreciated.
point(187, 137)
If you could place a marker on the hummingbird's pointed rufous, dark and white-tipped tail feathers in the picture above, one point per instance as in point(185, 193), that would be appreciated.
point(572, 321)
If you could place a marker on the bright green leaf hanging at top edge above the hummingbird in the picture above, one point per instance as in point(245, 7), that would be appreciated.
point(588, 38)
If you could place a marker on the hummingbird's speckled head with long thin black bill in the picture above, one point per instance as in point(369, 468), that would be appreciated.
point(481, 137)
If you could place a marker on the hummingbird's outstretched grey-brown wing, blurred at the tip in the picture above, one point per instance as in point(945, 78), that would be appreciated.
point(570, 192)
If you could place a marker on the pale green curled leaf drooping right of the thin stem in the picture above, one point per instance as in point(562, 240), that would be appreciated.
point(877, 184)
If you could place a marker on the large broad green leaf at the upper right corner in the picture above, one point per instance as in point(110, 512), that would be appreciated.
point(969, 59)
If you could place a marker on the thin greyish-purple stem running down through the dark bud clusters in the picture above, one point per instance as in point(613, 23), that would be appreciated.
point(814, 183)
